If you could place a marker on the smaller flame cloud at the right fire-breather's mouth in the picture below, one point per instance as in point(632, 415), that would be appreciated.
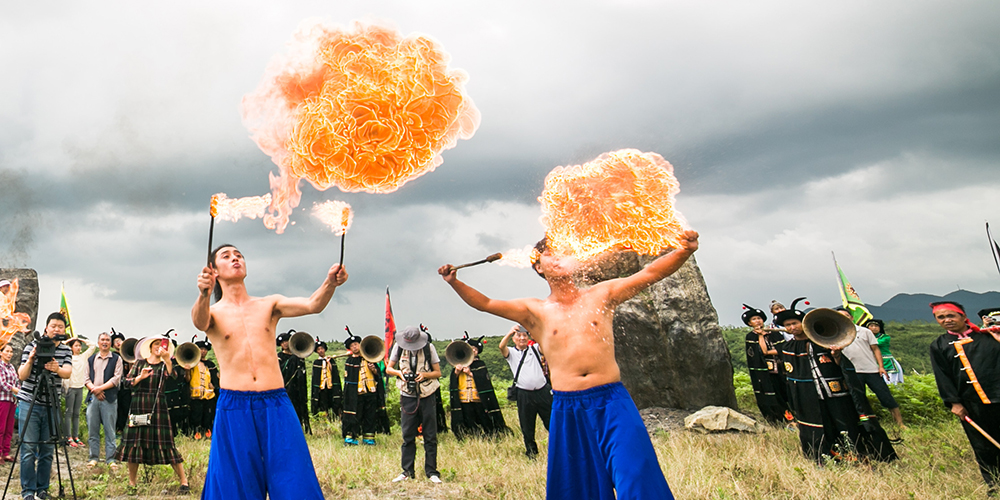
point(622, 199)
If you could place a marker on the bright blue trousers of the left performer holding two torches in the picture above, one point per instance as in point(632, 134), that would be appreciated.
point(258, 450)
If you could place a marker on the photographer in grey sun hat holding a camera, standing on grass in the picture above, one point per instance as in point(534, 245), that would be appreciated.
point(419, 369)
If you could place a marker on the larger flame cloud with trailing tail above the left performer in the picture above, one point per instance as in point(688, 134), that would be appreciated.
point(363, 108)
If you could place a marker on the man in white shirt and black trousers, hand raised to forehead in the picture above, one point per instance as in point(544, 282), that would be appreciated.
point(534, 393)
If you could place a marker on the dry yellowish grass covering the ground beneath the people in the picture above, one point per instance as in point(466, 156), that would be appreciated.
point(936, 462)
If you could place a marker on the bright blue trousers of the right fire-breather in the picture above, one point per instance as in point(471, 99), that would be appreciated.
point(598, 446)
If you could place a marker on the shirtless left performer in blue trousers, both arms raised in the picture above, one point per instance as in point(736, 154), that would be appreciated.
point(256, 443)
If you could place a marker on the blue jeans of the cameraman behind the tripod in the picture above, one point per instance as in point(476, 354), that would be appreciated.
point(36, 458)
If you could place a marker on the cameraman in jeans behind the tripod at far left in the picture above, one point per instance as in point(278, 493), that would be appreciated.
point(36, 450)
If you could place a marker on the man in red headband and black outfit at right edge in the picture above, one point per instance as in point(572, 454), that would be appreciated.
point(966, 362)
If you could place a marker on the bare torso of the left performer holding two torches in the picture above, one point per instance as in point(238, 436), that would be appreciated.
point(242, 336)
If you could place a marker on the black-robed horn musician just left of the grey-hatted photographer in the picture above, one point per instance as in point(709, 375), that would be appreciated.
point(364, 412)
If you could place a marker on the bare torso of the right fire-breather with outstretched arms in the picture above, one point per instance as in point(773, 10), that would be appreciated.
point(577, 338)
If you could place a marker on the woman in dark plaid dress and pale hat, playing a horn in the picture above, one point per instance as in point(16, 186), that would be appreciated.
point(151, 444)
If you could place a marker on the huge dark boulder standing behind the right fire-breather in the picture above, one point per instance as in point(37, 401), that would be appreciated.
point(667, 338)
